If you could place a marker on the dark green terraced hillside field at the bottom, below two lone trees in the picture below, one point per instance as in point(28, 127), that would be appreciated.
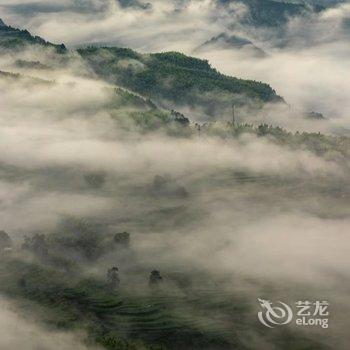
point(187, 318)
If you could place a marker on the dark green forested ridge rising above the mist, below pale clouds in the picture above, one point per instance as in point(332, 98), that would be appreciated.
point(172, 77)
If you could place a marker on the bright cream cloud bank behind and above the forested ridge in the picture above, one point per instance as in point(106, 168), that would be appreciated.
point(306, 61)
